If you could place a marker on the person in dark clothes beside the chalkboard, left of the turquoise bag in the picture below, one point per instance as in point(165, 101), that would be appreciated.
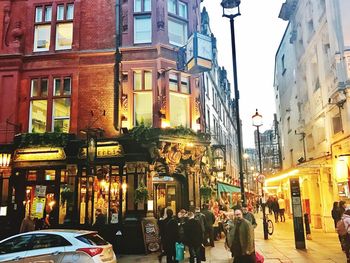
point(171, 232)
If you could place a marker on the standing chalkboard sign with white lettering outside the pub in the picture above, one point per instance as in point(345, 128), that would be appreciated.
point(150, 232)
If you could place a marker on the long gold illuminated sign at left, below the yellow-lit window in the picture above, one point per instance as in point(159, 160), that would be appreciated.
point(39, 154)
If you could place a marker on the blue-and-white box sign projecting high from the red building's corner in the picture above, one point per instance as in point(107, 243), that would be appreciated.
point(199, 53)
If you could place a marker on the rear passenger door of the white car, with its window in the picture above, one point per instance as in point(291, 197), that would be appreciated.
point(46, 248)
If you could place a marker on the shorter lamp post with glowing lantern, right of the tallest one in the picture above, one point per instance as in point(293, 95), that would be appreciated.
point(257, 122)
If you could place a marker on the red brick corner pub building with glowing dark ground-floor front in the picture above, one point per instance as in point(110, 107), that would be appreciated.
point(71, 80)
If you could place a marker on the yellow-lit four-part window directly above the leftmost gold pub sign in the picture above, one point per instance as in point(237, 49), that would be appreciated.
point(54, 94)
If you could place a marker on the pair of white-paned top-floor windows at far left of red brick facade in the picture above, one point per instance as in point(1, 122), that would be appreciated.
point(44, 25)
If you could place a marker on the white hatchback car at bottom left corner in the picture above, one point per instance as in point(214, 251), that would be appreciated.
point(57, 246)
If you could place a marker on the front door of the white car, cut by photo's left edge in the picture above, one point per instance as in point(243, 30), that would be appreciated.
point(14, 249)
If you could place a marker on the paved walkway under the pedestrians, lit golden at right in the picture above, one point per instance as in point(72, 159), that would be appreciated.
point(280, 247)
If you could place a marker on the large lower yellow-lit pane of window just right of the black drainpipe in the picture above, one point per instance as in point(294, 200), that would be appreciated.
point(143, 108)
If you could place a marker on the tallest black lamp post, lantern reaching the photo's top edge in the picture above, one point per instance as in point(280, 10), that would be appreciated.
point(231, 5)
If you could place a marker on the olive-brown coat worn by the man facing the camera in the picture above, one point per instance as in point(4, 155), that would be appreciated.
point(246, 238)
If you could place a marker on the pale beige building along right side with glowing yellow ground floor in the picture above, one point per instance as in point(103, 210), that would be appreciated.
point(312, 81)
